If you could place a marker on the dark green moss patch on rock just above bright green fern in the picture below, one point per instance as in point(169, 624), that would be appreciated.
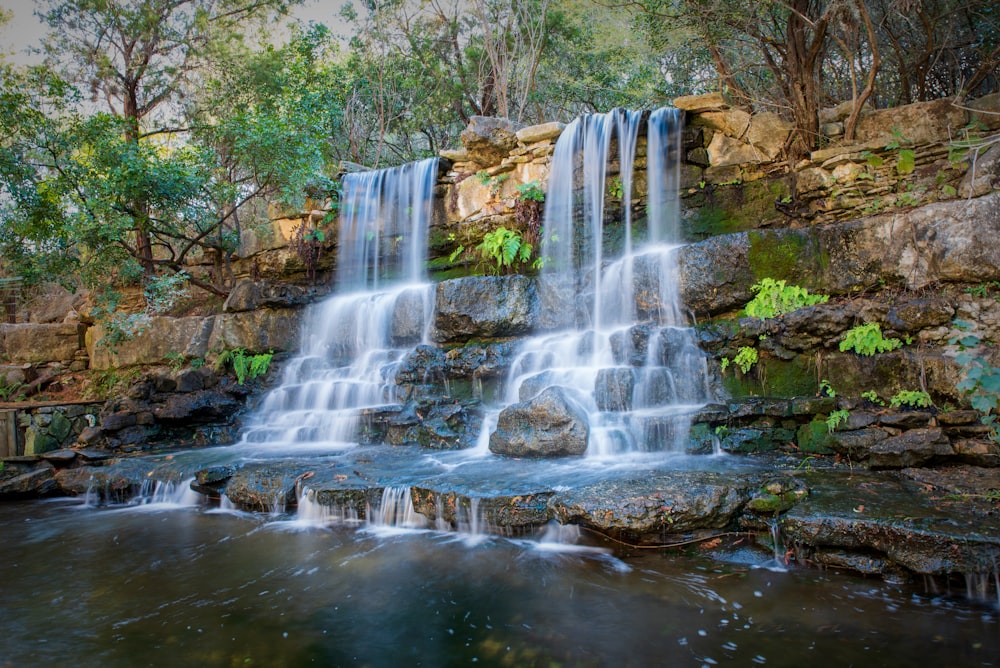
point(792, 255)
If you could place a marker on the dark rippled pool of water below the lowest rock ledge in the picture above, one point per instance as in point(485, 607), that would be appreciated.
point(157, 585)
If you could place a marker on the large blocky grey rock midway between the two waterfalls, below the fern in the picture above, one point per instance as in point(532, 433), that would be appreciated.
point(484, 307)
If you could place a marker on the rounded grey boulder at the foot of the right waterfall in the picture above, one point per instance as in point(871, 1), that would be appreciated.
point(551, 424)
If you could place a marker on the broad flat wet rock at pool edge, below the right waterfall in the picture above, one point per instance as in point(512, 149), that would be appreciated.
point(650, 509)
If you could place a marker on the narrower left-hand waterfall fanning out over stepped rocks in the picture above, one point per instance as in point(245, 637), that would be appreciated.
point(380, 309)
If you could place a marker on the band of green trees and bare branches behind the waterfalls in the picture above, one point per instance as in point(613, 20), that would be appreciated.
point(146, 133)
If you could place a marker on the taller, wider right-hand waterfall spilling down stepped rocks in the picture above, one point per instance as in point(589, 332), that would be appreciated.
point(631, 361)
